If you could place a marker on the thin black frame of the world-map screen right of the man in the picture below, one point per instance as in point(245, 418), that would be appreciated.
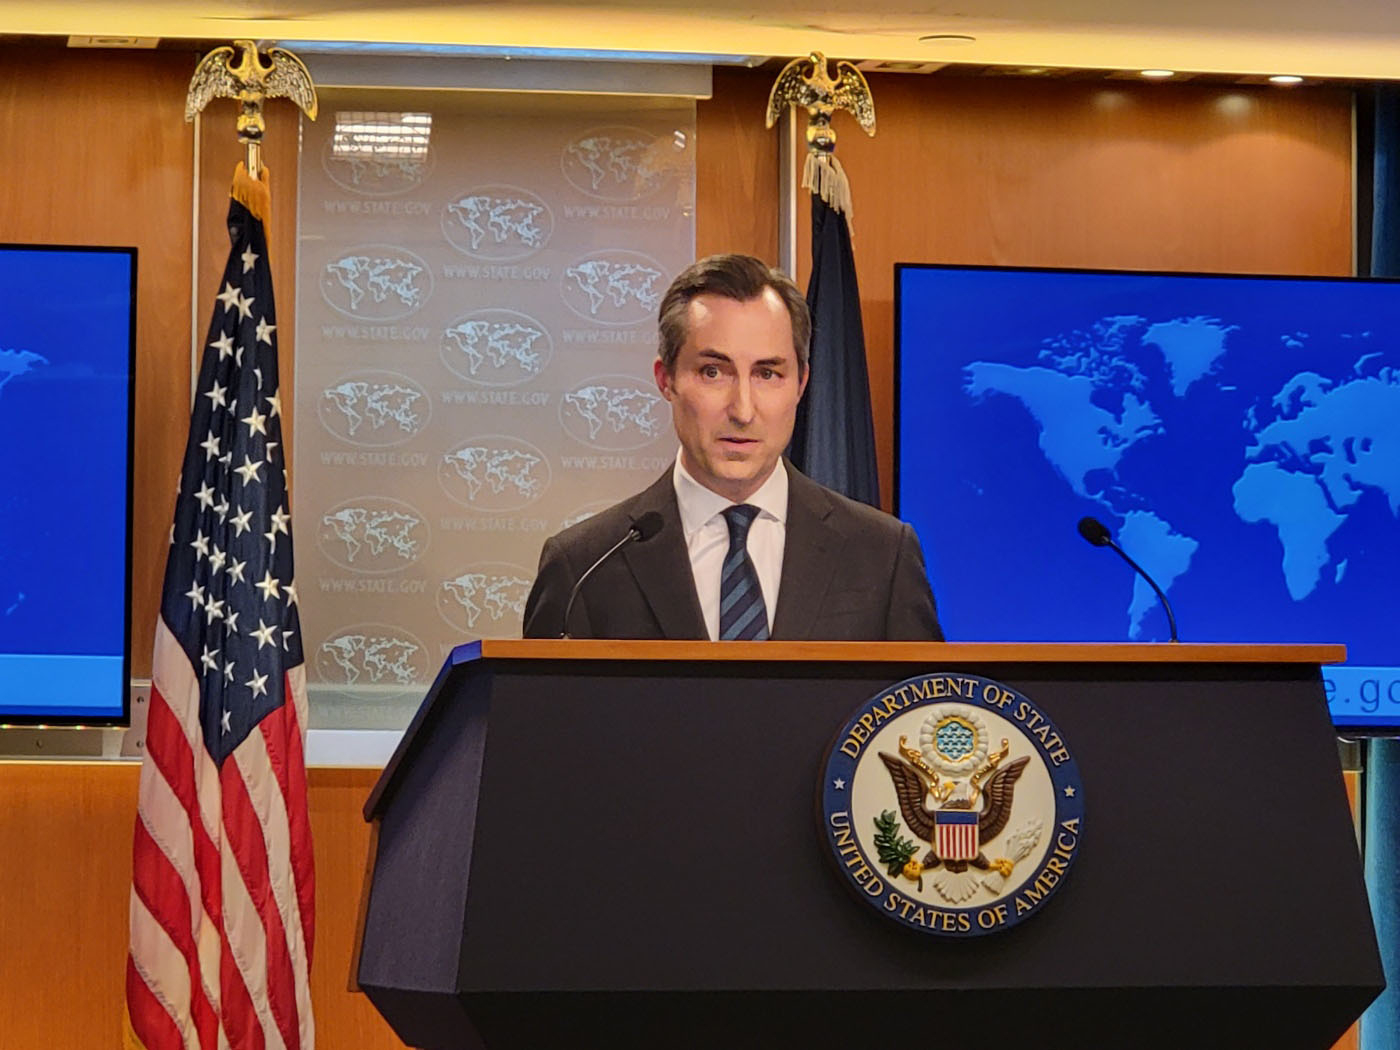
point(1353, 726)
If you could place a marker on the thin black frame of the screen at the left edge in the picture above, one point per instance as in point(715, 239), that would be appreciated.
point(122, 716)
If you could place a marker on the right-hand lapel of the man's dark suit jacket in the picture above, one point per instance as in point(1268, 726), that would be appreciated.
point(810, 558)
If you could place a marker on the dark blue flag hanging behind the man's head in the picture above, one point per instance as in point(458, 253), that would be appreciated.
point(834, 442)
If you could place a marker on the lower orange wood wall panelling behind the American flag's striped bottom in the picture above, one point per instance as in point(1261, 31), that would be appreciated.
point(66, 877)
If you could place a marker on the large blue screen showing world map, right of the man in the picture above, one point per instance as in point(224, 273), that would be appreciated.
point(1238, 436)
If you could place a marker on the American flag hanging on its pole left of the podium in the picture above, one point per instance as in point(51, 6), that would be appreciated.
point(223, 898)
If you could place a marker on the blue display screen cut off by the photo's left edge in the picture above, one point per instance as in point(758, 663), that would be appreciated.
point(66, 355)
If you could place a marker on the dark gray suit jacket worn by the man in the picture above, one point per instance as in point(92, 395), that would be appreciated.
point(850, 573)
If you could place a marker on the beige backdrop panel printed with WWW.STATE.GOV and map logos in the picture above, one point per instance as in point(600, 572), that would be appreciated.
point(477, 321)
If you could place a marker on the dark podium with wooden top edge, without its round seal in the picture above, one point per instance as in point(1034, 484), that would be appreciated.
point(615, 845)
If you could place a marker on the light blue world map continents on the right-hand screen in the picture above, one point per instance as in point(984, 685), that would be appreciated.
point(1308, 456)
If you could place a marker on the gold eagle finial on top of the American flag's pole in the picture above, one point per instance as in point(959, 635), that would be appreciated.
point(251, 76)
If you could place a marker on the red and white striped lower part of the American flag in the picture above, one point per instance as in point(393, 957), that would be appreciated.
point(223, 887)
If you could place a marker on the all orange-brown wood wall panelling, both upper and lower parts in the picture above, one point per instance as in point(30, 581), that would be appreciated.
point(976, 171)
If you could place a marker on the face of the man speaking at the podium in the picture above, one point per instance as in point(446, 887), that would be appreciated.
point(734, 391)
